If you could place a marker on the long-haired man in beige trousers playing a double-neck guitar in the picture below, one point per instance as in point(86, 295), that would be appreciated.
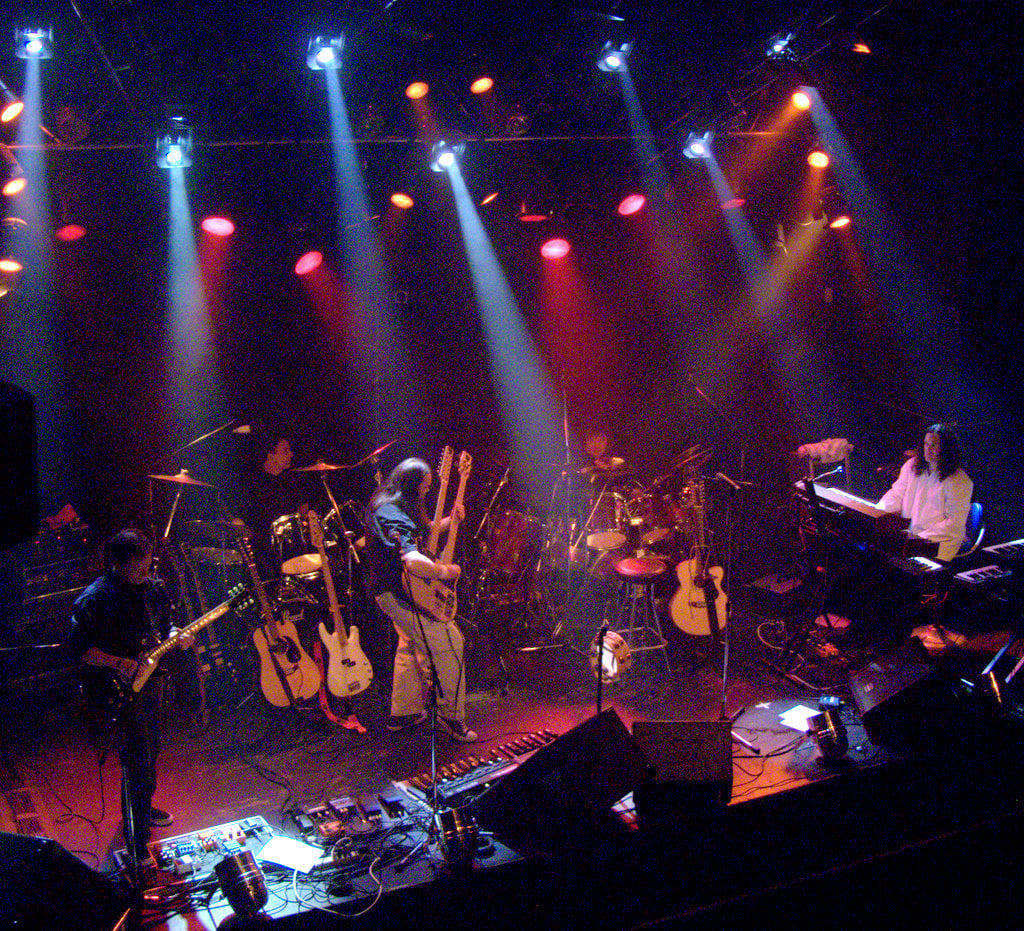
point(397, 520)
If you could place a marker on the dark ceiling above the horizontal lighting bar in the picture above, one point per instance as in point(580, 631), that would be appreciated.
point(237, 71)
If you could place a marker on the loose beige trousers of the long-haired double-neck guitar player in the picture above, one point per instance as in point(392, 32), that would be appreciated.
point(412, 666)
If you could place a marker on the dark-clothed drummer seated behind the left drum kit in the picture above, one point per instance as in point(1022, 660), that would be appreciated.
point(274, 492)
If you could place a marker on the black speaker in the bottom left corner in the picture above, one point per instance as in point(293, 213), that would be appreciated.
point(45, 886)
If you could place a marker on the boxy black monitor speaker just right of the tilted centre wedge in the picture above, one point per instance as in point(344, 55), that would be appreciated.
point(692, 765)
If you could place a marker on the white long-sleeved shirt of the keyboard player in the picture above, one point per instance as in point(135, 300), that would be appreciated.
point(937, 510)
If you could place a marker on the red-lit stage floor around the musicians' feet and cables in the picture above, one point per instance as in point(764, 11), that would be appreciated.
point(258, 761)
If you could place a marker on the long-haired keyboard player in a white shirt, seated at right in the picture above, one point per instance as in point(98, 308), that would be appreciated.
point(933, 491)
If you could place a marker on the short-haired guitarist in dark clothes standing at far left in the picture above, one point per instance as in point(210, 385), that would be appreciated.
point(113, 622)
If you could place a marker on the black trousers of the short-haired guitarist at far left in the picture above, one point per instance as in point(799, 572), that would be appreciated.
point(139, 747)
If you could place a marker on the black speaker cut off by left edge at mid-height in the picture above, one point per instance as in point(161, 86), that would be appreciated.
point(19, 480)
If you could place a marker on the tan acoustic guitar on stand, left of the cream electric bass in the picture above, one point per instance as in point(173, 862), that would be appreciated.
point(287, 672)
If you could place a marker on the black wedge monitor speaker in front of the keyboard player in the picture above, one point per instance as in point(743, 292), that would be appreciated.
point(903, 699)
